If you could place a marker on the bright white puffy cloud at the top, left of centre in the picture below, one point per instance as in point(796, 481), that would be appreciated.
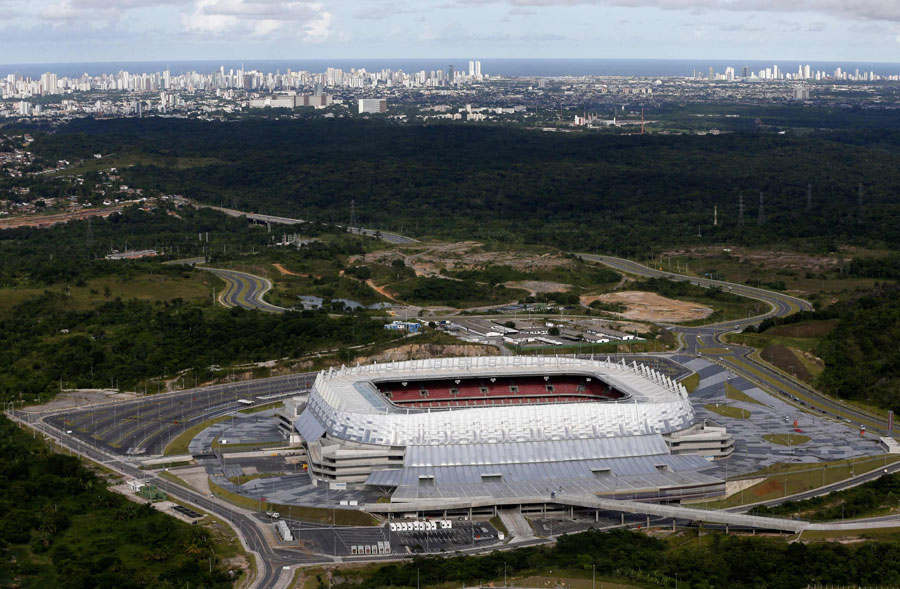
point(260, 18)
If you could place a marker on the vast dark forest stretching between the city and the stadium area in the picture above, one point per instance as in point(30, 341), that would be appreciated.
point(579, 192)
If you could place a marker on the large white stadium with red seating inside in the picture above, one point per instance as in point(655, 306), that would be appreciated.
point(506, 428)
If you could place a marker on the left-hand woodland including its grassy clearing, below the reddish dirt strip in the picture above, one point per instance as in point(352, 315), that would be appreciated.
point(59, 328)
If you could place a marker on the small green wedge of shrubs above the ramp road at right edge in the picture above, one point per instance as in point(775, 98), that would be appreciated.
point(874, 498)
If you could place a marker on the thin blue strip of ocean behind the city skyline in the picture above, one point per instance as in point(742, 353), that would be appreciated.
point(490, 66)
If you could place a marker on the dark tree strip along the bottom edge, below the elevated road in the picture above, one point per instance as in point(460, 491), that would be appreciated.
point(722, 561)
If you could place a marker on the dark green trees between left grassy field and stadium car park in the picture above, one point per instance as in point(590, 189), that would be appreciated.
point(122, 343)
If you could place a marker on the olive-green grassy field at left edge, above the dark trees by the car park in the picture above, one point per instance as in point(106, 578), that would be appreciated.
point(150, 287)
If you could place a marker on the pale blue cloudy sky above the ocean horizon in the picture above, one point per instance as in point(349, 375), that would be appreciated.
point(40, 31)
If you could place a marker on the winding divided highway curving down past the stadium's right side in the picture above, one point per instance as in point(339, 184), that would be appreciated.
point(739, 358)
